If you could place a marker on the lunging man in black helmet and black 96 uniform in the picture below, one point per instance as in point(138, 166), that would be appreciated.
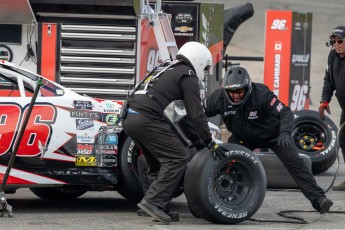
point(256, 118)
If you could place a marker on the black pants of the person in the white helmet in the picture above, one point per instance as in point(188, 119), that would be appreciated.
point(166, 155)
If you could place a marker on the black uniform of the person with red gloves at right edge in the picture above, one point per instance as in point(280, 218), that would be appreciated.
point(334, 80)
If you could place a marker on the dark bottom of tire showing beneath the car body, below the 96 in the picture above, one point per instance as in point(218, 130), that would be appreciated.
point(58, 193)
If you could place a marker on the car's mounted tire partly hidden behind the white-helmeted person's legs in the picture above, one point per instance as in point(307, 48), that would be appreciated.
point(129, 184)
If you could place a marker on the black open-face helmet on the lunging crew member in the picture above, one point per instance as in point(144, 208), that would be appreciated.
point(237, 78)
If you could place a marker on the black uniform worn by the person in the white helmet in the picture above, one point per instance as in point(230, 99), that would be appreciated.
point(165, 152)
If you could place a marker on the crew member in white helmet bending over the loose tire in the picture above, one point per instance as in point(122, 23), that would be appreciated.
point(165, 152)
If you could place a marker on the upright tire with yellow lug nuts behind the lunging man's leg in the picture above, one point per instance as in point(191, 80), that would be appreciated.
point(315, 138)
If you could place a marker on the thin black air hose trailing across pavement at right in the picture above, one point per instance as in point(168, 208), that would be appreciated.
point(299, 220)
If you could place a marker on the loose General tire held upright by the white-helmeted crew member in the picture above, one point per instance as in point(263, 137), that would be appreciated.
point(225, 191)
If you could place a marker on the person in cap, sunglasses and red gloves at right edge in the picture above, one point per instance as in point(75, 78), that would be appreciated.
point(334, 80)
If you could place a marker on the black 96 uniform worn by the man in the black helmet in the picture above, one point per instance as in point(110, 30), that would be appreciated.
point(257, 123)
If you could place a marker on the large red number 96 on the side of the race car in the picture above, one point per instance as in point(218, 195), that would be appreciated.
point(37, 129)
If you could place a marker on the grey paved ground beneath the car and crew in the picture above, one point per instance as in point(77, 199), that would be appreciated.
point(108, 210)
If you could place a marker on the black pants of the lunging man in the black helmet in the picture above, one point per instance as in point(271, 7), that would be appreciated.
point(294, 164)
